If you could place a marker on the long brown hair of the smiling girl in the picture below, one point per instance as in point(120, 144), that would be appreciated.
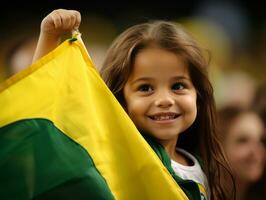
point(201, 138)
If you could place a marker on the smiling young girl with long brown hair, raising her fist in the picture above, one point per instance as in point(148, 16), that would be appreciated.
point(158, 74)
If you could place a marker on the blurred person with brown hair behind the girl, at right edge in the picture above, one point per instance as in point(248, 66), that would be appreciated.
point(242, 136)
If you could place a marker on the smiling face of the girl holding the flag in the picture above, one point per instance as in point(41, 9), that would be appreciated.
point(160, 97)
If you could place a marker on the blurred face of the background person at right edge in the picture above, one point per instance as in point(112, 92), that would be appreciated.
point(244, 147)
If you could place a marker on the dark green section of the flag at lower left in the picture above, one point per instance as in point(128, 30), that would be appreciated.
point(38, 161)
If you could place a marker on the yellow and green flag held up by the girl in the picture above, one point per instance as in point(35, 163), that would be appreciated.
point(63, 135)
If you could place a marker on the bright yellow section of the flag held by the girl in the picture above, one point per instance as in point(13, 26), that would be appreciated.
point(65, 88)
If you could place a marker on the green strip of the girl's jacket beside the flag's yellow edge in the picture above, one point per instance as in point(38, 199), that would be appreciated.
point(189, 187)
